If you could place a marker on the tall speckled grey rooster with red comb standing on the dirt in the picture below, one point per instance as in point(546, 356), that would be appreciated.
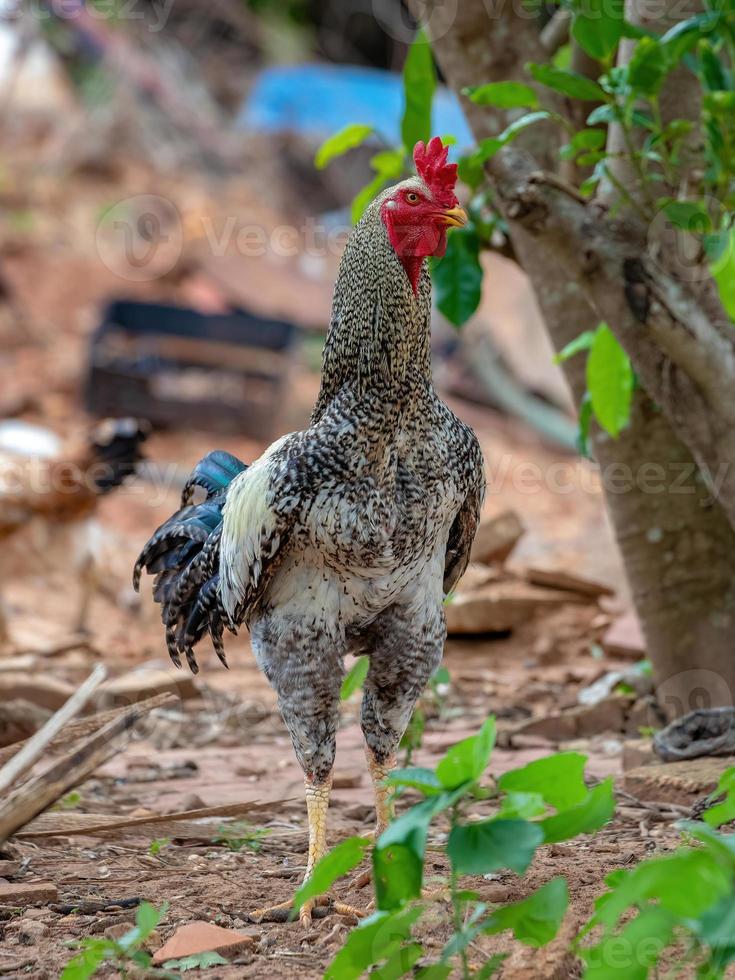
point(346, 537)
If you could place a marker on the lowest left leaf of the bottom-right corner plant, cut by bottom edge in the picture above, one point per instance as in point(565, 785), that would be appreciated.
point(642, 942)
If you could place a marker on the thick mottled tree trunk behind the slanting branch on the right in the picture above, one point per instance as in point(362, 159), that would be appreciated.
point(678, 547)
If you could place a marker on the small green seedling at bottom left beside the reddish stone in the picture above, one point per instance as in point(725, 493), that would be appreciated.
point(125, 954)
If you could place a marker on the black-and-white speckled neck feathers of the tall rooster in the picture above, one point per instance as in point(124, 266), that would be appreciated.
point(379, 333)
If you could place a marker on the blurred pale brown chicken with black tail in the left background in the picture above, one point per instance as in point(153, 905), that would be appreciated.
point(61, 486)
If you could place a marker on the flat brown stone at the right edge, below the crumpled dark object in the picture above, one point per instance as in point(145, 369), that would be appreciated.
point(677, 782)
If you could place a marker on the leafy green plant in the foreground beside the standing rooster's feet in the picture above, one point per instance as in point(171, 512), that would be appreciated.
point(544, 802)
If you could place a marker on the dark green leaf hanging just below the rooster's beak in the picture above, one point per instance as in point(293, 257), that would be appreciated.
point(457, 276)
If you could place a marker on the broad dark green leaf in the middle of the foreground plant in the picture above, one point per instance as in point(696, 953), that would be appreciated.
point(489, 845)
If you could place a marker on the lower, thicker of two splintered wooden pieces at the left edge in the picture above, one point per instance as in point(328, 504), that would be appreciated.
point(38, 793)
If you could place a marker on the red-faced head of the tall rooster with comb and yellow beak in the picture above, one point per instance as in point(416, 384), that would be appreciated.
point(418, 211)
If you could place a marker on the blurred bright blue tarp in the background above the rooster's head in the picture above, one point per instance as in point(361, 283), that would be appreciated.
point(316, 100)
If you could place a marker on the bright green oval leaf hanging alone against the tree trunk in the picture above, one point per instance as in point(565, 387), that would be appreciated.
point(609, 381)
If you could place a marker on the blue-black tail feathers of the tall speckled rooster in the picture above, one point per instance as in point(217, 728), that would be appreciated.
point(183, 554)
